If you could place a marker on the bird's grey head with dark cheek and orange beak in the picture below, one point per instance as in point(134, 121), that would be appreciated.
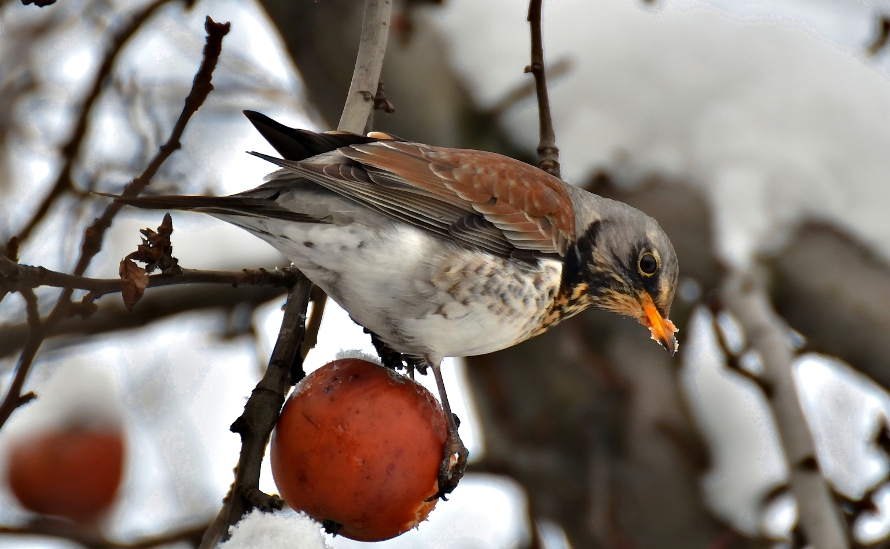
point(629, 267)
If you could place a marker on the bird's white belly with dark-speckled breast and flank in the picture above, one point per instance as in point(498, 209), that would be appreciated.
point(421, 294)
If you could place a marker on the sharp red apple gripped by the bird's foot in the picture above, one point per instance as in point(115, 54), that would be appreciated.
point(360, 445)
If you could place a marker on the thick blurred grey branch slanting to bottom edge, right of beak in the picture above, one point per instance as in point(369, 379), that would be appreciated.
point(746, 298)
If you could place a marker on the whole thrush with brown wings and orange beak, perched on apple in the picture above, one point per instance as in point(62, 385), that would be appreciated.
point(443, 252)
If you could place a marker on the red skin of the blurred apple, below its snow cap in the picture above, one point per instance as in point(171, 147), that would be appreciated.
point(73, 473)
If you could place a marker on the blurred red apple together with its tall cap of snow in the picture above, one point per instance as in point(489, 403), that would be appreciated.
point(64, 454)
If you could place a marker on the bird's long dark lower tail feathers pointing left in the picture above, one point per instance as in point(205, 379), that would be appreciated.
point(220, 205)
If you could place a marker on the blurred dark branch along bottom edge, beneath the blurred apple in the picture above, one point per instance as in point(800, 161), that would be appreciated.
point(64, 530)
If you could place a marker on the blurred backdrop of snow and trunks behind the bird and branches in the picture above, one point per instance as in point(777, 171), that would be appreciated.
point(756, 133)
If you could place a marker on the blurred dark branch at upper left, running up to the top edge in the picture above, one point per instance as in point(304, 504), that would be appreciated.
point(71, 149)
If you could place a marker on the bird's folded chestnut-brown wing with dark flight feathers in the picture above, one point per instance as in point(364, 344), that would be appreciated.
point(482, 199)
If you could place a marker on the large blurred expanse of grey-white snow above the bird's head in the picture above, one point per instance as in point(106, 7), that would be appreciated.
point(773, 119)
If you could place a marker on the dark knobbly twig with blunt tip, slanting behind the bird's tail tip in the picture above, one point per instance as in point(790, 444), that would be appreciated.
point(95, 233)
